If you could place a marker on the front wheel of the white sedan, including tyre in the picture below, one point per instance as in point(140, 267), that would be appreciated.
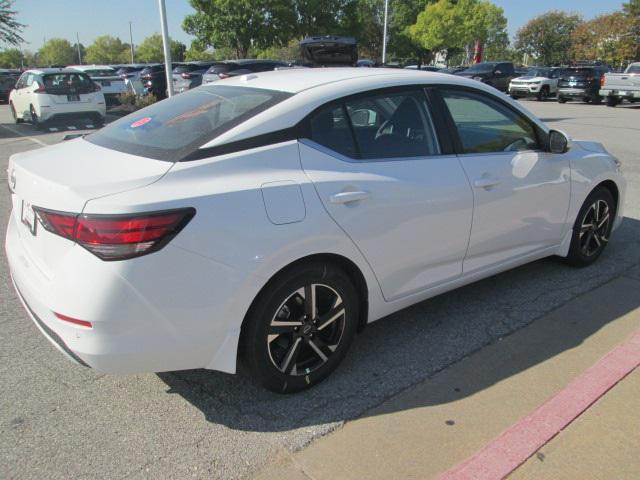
point(592, 228)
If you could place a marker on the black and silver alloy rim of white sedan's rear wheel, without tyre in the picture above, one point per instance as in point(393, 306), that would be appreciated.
point(306, 329)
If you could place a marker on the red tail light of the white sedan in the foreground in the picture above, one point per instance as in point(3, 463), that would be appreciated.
point(117, 237)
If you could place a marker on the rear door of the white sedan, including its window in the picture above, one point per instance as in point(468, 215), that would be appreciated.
point(392, 185)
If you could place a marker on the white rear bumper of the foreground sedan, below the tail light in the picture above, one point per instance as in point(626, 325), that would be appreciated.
point(142, 320)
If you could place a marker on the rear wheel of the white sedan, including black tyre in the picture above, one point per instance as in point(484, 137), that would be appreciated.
point(300, 327)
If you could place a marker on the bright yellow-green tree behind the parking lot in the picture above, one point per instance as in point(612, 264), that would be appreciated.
point(453, 25)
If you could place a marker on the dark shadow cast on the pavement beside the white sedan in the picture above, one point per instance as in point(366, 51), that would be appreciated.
point(412, 345)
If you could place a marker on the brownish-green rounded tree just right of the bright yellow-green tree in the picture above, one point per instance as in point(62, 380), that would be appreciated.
point(548, 37)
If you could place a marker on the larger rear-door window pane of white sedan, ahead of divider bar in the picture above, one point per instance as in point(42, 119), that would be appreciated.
point(392, 125)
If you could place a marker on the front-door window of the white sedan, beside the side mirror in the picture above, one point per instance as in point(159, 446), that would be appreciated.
point(486, 125)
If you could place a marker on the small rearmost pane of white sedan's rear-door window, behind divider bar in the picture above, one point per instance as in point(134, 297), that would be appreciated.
point(330, 127)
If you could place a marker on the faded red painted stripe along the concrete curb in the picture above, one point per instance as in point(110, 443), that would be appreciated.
point(514, 446)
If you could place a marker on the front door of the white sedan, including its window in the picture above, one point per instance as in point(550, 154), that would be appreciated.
point(521, 192)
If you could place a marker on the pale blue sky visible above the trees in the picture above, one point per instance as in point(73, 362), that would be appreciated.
point(91, 18)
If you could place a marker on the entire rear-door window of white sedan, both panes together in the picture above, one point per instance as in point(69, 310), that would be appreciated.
point(384, 125)
